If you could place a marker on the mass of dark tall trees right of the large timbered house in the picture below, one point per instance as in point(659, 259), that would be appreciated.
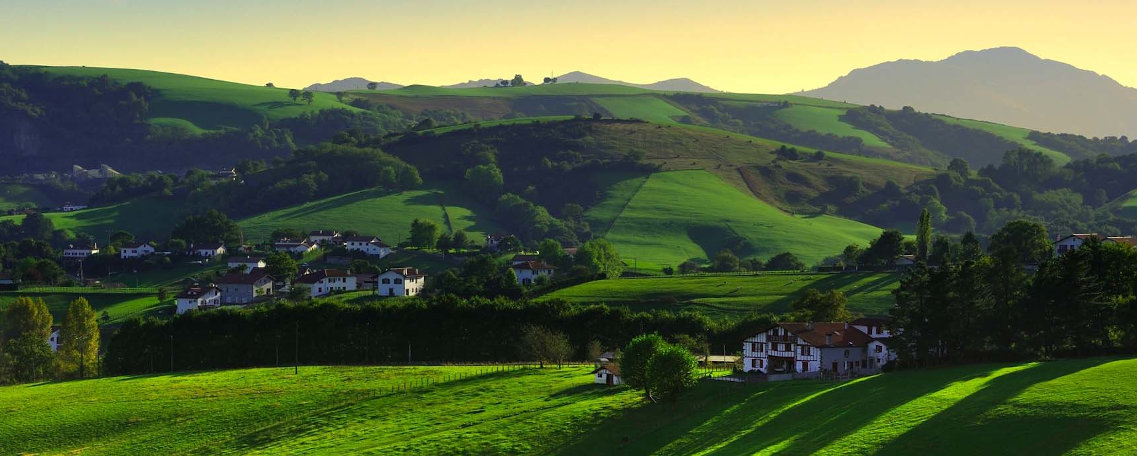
point(990, 306)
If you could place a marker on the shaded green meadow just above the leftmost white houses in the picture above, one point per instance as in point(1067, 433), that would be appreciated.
point(150, 218)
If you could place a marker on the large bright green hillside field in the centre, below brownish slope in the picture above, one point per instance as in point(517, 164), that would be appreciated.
point(692, 215)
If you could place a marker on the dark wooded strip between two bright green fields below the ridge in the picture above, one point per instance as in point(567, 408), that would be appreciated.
point(760, 121)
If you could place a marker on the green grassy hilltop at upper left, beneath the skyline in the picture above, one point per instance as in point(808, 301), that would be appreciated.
point(201, 104)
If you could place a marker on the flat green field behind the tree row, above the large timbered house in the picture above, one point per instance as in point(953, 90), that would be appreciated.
point(869, 294)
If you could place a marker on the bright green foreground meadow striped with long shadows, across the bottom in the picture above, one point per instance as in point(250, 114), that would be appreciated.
point(1082, 407)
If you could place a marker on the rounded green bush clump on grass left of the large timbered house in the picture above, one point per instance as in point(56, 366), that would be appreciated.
point(662, 370)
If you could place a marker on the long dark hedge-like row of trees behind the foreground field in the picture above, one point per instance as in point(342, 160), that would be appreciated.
point(445, 329)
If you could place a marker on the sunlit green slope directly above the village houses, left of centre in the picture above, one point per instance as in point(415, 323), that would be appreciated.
point(375, 212)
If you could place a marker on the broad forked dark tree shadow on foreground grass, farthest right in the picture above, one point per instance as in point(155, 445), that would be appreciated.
point(965, 429)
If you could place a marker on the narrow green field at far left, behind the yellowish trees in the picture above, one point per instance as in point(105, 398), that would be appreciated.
point(119, 306)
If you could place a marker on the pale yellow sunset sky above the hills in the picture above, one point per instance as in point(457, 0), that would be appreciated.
point(745, 46)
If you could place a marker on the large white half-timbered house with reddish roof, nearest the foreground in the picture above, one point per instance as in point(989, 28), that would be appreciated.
point(791, 351)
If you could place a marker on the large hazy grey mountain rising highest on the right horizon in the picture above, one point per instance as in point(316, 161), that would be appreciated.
point(1008, 86)
